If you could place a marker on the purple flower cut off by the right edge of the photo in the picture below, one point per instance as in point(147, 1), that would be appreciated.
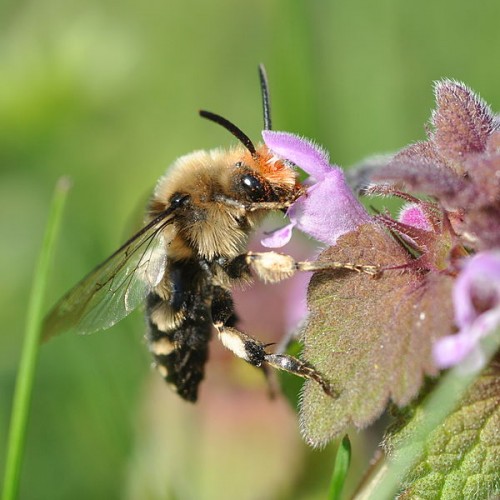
point(476, 299)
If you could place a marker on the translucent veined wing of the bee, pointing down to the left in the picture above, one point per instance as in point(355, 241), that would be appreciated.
point(117, 286)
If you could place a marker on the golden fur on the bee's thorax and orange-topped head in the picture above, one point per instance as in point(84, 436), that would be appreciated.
point(212, 227)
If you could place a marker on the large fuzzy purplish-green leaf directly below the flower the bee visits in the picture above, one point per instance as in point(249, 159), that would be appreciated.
point(371, 337)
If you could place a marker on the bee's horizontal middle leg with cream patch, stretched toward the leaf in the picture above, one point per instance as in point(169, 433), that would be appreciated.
point(272, 267)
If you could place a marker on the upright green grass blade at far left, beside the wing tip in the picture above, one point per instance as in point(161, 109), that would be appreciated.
point(29, 354)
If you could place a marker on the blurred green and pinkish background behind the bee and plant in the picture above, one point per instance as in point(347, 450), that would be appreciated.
point(107, 93)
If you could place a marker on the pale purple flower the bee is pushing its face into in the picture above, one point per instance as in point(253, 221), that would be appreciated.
point(329, 208)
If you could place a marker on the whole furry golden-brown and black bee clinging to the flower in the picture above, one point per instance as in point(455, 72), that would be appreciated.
point(188, 256)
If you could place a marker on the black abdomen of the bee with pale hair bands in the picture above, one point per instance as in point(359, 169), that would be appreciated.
point(180, 347)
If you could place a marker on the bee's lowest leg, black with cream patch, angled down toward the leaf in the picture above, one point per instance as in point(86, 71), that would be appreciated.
point(254, 352)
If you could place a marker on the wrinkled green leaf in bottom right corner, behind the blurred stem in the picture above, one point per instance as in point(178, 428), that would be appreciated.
point(461, 457)
